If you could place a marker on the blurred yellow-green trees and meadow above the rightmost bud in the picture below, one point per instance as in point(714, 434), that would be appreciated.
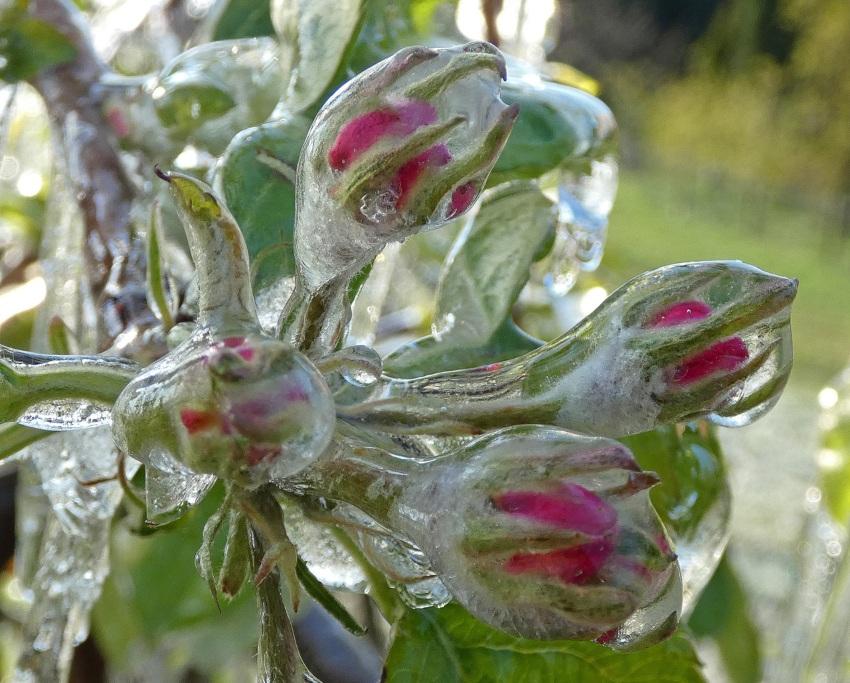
point(735, 119)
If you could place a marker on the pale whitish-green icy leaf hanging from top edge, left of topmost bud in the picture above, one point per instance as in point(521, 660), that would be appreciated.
point(314, 37)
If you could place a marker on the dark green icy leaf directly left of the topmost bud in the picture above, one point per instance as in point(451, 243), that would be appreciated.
point(260, 192)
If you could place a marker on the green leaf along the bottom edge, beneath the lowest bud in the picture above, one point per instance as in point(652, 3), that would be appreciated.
point(449, 646)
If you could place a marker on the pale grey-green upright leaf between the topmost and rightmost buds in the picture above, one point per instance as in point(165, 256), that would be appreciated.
point(489, 263)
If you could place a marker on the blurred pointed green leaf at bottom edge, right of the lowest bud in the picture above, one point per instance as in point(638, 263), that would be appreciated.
point(722, 614)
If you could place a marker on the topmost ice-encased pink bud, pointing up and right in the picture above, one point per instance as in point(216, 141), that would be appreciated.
point(408, 143)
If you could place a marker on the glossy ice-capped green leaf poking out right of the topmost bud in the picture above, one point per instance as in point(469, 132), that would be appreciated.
point(557, 126)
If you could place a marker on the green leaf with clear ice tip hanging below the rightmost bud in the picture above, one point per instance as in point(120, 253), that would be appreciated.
point(693, 497)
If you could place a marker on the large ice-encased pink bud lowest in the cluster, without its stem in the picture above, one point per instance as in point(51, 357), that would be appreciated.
point(547, 534)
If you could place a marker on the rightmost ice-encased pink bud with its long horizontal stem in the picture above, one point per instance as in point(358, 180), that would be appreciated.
point(697, 339)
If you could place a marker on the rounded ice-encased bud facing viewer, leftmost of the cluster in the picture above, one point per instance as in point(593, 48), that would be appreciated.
point(248, 409)
